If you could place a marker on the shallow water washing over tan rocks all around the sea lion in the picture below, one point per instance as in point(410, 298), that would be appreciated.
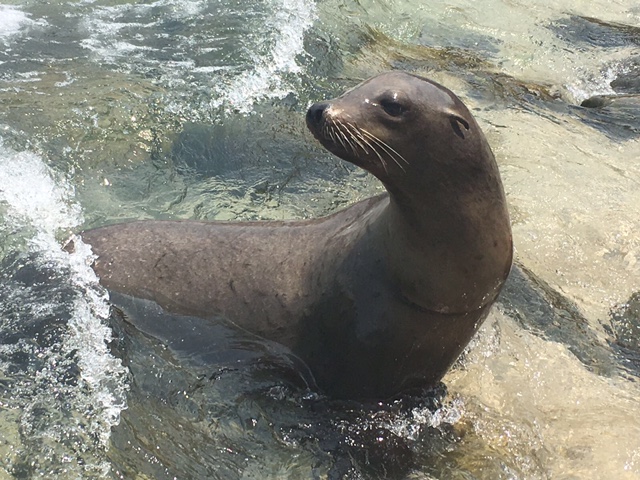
point(190, 109)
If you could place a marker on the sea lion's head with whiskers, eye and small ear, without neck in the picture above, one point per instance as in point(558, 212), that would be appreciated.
point(406, 130)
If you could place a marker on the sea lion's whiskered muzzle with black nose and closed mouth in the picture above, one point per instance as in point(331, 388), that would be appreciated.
point(351, 142)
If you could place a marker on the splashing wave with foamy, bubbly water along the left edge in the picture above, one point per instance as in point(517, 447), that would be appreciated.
point(38, 201)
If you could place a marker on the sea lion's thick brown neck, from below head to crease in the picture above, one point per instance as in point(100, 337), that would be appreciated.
point(443, 257)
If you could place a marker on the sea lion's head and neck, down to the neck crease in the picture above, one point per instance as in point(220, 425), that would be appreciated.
point(447, 206)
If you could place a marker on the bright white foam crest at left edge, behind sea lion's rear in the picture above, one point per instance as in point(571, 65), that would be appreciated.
point(33, 196)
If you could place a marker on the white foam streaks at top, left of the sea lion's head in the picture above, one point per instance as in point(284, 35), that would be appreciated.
point(280, 39)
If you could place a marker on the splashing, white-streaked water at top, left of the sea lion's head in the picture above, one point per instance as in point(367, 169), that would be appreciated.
point(265, 53)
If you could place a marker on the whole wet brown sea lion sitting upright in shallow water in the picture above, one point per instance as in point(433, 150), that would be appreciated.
point(377, 298)
